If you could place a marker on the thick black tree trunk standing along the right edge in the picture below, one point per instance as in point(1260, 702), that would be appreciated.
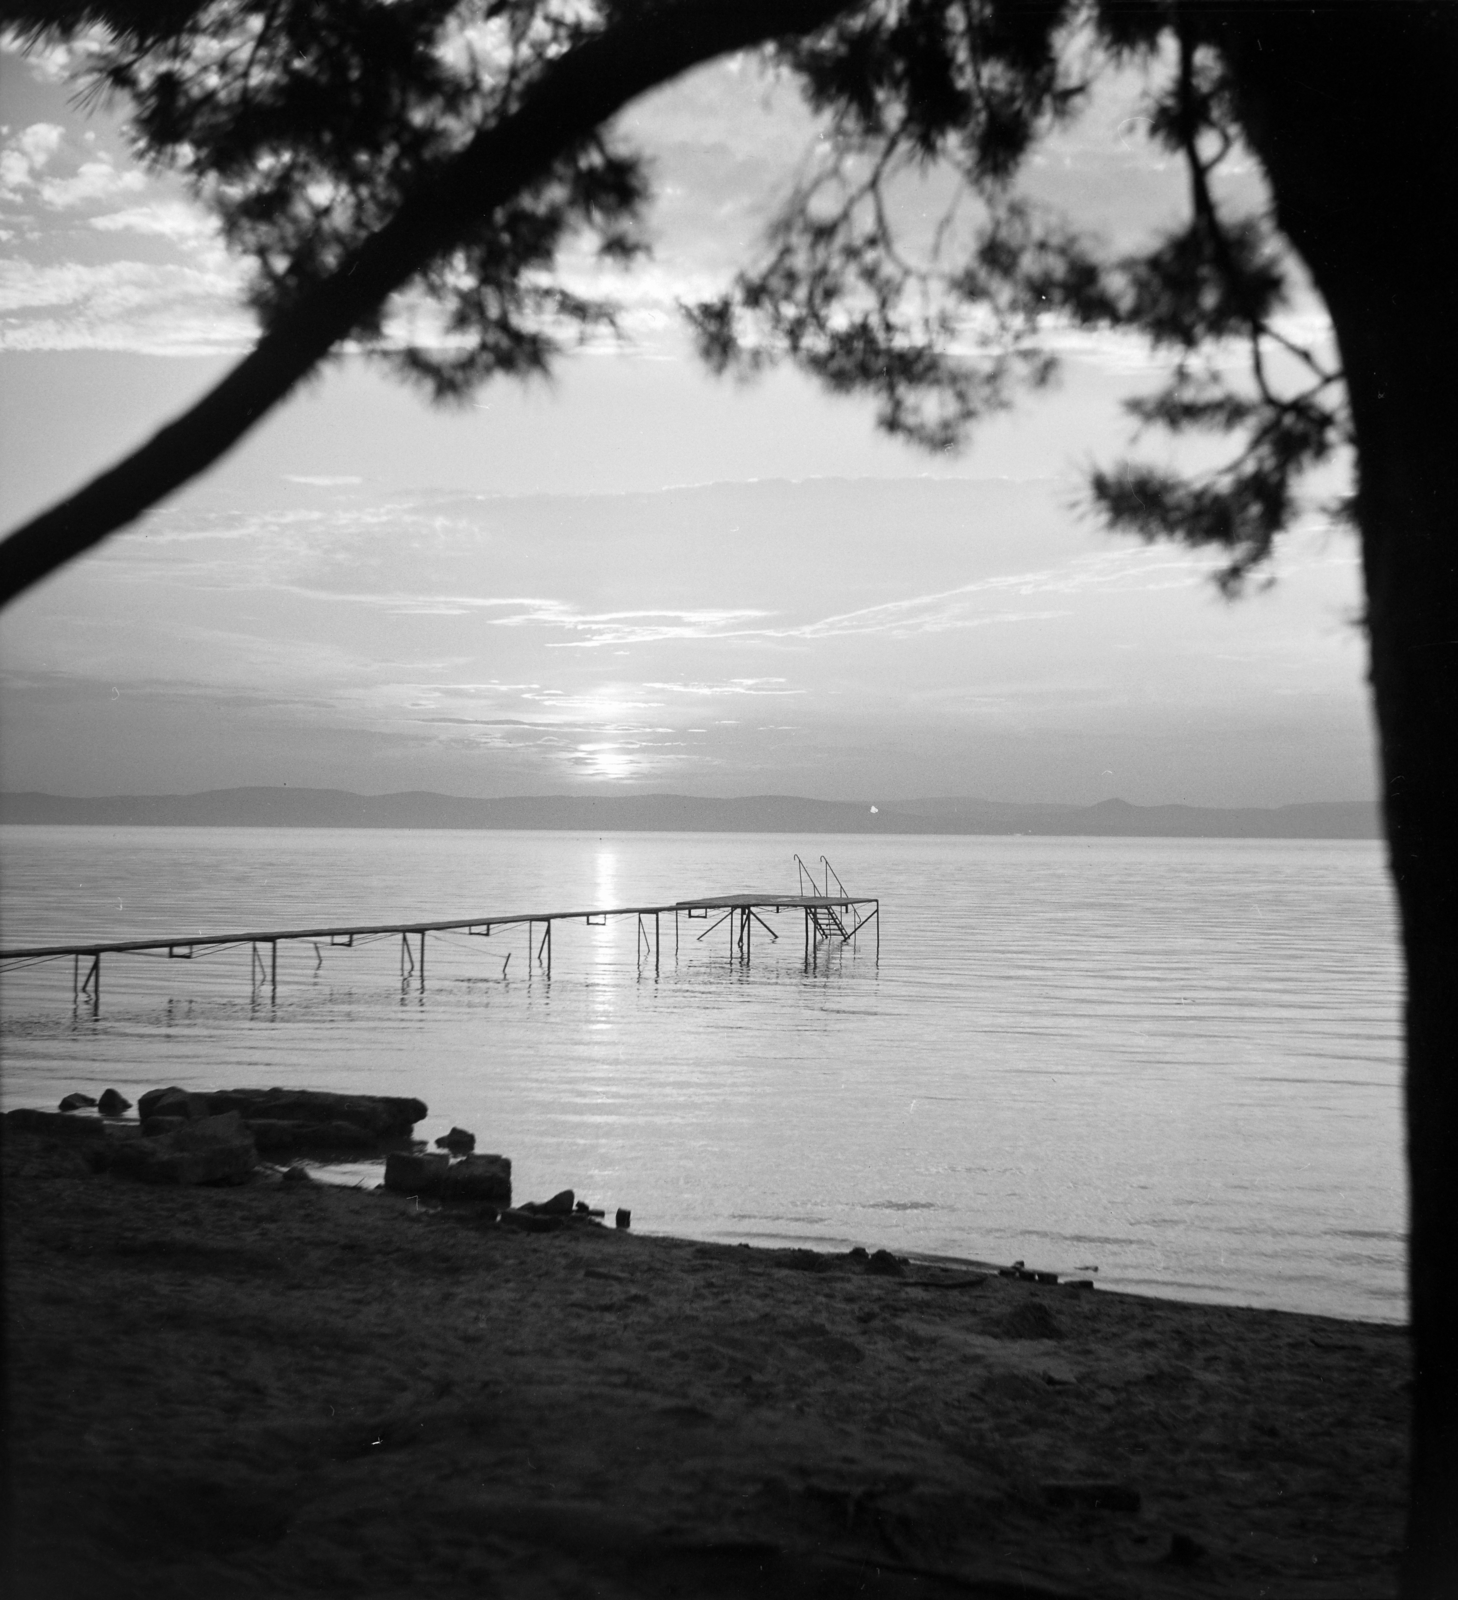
point(1350, 113)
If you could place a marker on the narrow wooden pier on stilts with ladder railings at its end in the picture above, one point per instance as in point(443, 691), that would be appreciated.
point(828, 918)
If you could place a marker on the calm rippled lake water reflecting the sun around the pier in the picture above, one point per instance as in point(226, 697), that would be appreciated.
point(1176, 1062)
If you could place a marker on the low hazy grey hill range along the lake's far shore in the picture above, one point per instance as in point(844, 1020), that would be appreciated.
point(687, 814)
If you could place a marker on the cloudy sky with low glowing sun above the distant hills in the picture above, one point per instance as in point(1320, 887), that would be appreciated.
point(636, 577)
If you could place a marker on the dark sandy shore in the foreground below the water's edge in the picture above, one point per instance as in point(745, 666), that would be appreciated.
point(313, 1391)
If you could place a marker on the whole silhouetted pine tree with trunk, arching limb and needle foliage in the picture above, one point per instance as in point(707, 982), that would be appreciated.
point(356, 150)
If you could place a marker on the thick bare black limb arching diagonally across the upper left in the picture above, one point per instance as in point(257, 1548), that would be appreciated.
point(574, 97)
